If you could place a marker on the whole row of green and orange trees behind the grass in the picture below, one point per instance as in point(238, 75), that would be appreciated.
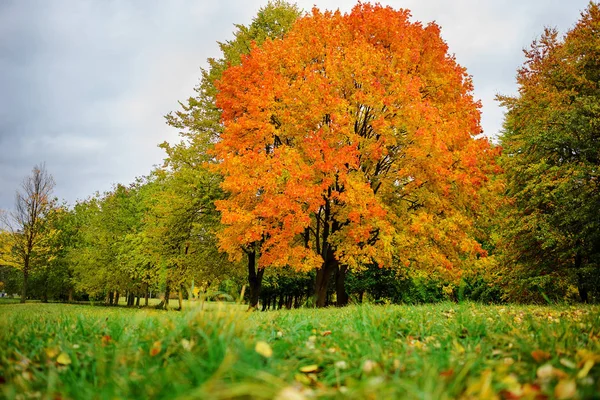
point(328, 158)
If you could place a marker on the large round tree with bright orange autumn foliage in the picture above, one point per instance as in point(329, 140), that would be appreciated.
point(351, 141)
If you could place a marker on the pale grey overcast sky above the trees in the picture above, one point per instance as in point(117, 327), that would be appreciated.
point(84, 84)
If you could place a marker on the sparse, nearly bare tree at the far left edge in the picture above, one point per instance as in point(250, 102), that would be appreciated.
point(28, 235)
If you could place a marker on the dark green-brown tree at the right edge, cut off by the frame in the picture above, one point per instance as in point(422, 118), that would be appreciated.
point(551, 147)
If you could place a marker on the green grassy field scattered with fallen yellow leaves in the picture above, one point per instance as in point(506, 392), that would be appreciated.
point(441, 351)
